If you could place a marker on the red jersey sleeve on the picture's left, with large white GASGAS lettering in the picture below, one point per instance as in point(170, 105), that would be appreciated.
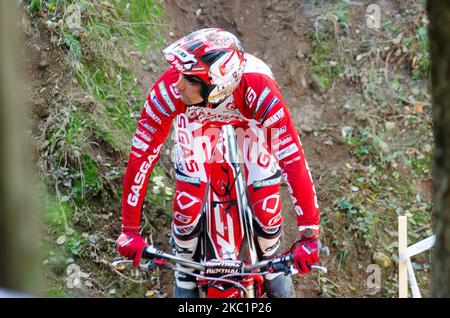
point(160, 108)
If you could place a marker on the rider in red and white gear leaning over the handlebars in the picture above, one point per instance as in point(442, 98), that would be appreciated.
point(211, 81)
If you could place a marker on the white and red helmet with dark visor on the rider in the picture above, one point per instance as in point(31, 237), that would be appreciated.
point(213, 55)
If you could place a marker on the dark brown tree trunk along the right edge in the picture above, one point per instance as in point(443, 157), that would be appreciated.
point(439, 35)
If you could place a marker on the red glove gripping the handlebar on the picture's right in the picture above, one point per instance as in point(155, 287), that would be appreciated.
point(306, 250)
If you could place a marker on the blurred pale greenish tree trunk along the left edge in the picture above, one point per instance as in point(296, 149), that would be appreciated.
point(18, 217)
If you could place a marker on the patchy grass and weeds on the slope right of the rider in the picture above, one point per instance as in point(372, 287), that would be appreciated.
point(385, 164)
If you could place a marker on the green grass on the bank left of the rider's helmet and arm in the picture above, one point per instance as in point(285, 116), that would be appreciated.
point(98, 58)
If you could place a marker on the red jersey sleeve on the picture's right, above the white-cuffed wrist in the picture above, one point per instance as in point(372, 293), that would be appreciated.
point(269, 108)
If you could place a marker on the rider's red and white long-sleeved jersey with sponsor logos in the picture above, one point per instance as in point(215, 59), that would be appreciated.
point(257, 98)
